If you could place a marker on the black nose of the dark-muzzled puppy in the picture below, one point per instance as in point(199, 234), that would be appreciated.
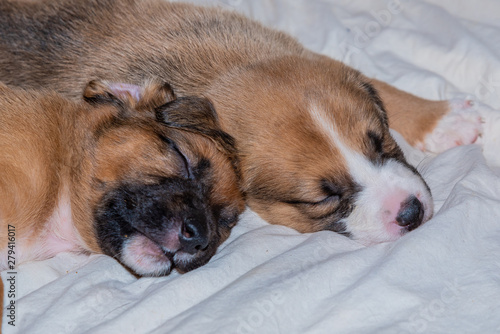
point(193, 236)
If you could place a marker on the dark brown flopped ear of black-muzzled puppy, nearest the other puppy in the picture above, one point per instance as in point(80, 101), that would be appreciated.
point(197, 115)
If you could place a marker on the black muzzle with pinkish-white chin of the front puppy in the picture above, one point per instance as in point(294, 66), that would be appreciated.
point(154, 228)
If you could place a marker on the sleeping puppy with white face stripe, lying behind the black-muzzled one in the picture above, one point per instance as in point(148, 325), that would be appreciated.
point(312, 134)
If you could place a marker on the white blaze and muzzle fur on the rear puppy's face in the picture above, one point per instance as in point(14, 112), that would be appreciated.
point(384, 189)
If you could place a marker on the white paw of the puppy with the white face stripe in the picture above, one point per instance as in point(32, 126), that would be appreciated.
point(462, 125)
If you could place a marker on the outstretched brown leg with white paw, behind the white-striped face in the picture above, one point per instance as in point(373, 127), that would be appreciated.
point(433, 126)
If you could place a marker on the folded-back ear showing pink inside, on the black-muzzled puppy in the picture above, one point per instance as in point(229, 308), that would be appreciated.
point(141, 98)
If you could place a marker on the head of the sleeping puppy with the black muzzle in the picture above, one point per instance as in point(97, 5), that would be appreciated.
point(165, 191)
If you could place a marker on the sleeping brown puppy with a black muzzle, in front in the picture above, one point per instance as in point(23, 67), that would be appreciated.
point(132, 178)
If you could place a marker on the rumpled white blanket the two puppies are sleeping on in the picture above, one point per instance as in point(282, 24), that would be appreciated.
point(443, 277)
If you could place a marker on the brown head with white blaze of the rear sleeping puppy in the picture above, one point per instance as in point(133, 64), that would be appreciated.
point(316, 152)
